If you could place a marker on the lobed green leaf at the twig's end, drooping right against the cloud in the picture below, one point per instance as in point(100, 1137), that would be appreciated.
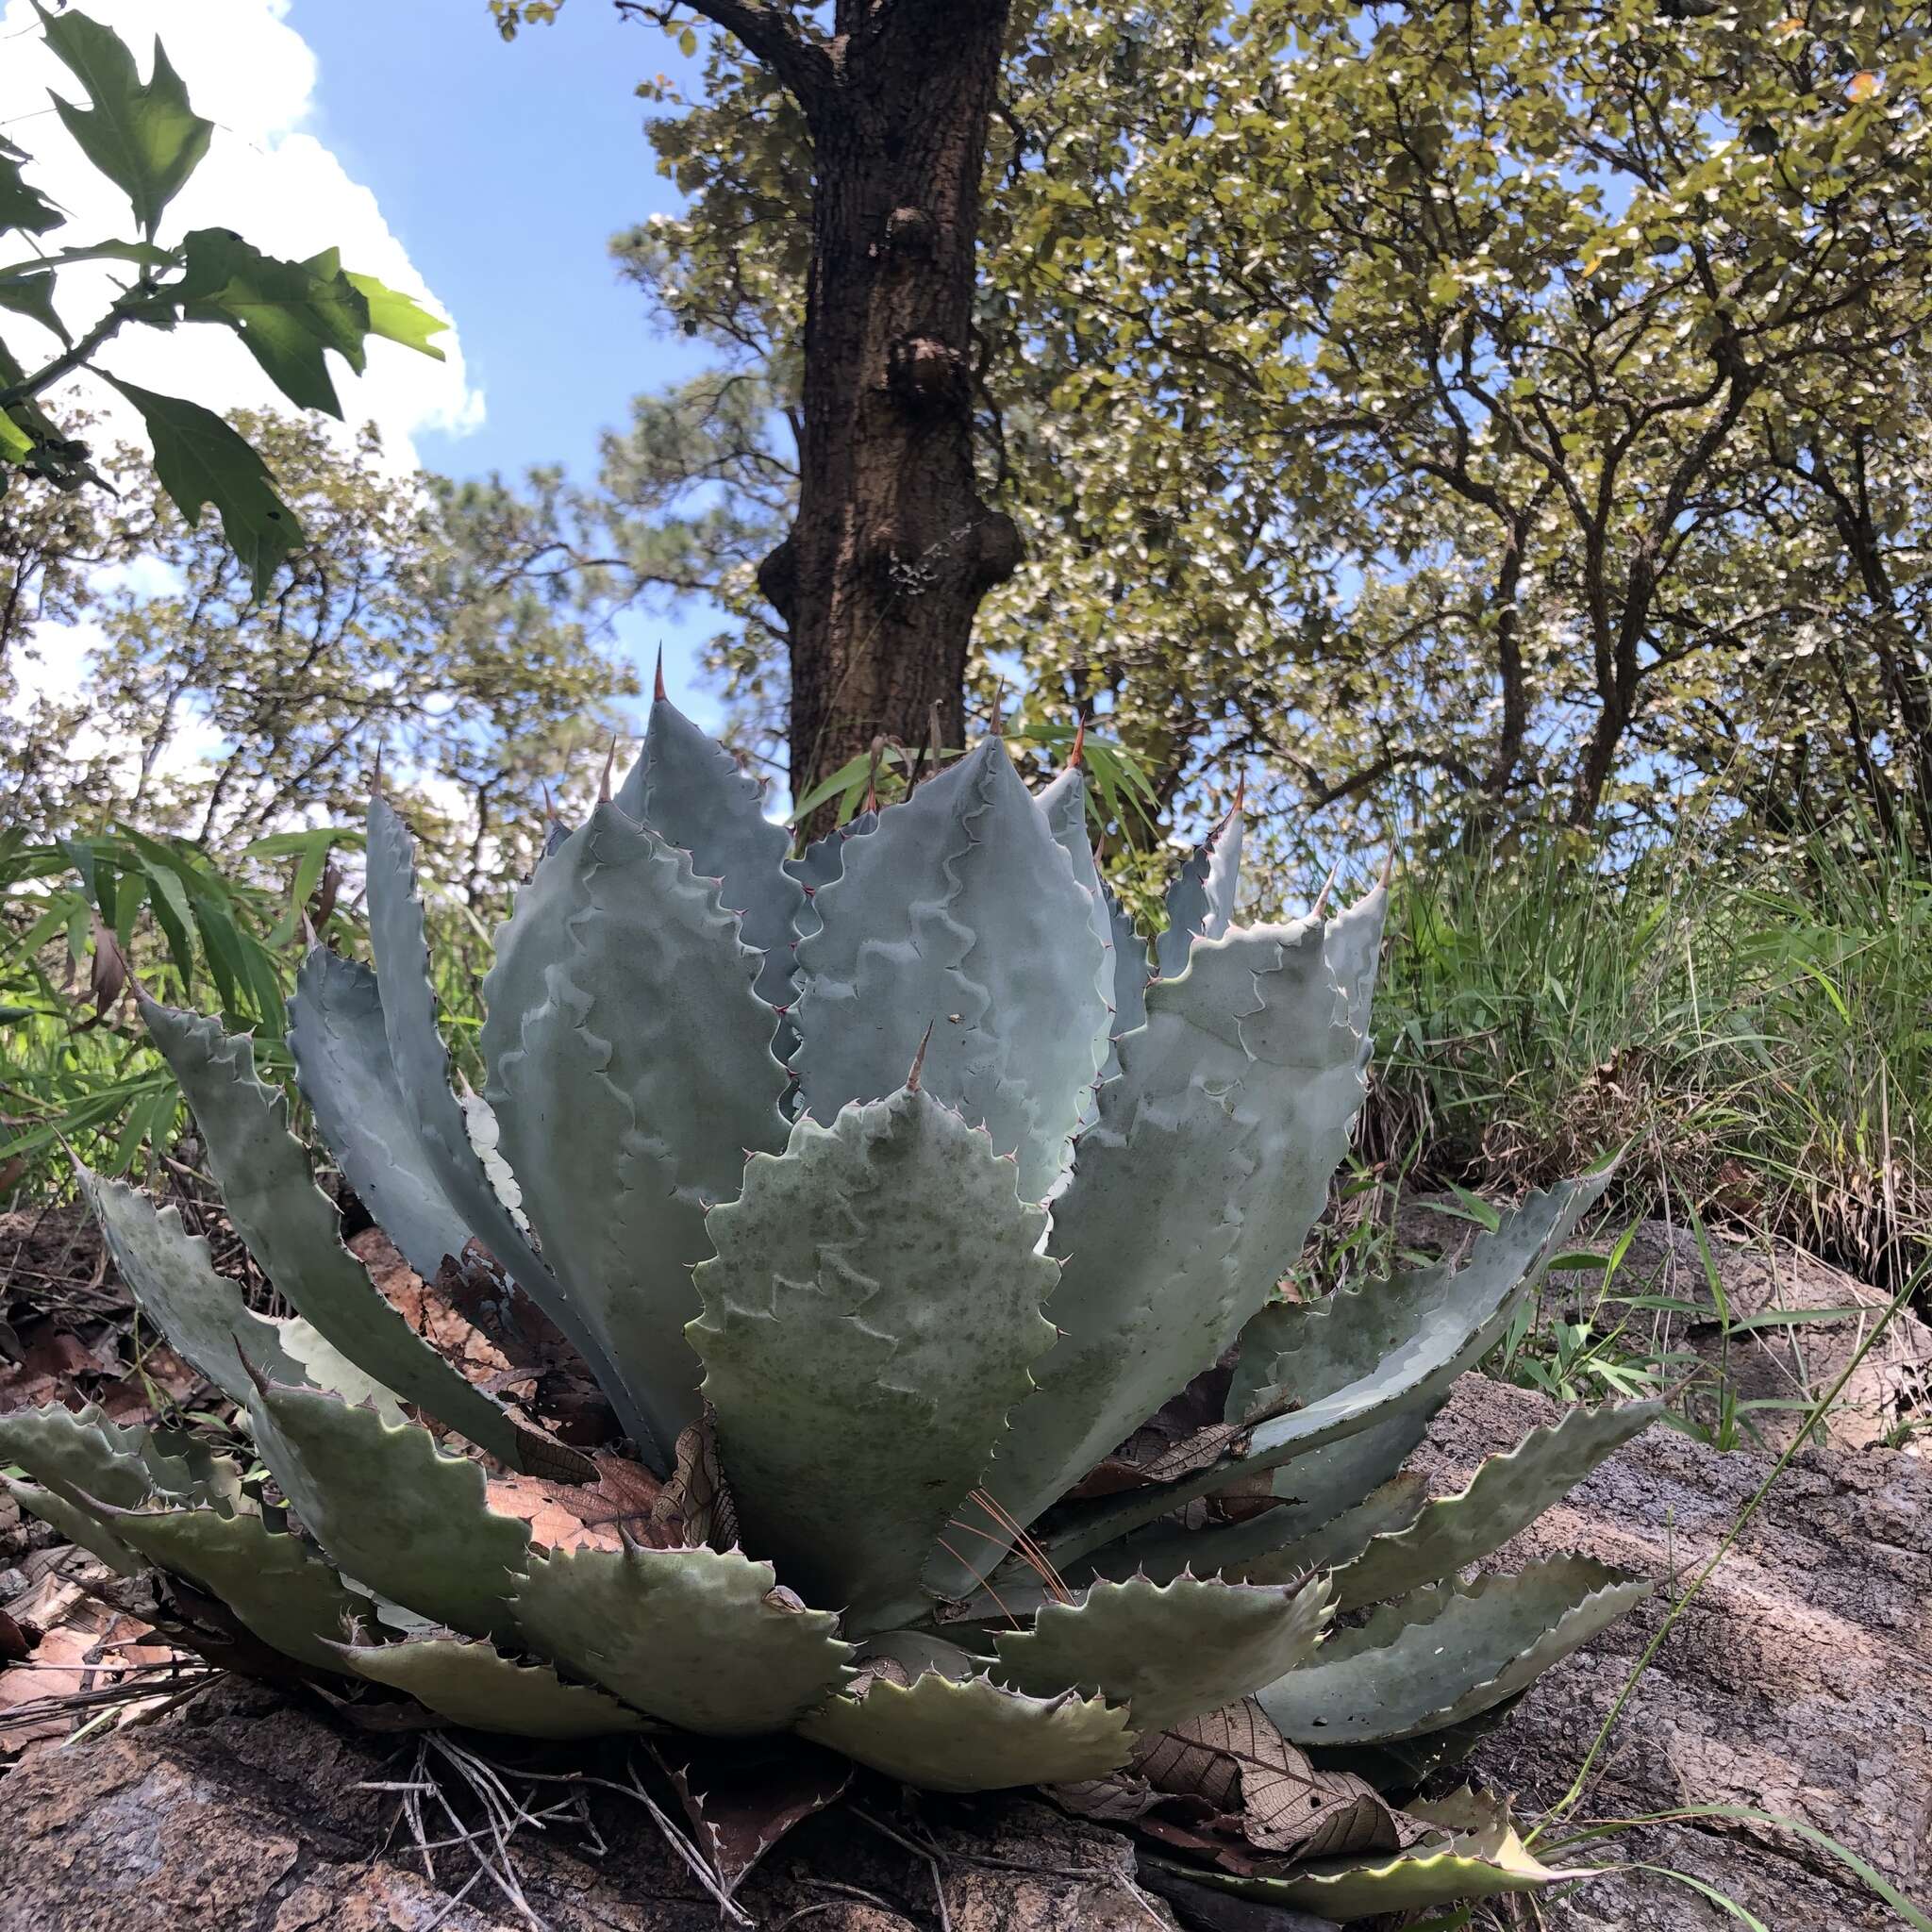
point(287, 312)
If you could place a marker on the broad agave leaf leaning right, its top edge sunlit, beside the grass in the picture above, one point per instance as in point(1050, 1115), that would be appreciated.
point(1191, 1195)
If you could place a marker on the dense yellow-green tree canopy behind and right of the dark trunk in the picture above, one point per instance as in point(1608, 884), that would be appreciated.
point(1427, 412)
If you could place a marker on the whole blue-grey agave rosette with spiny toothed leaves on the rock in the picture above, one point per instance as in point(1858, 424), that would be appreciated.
point(924, 1230)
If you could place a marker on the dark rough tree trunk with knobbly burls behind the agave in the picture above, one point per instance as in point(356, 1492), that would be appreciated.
point(892, 548)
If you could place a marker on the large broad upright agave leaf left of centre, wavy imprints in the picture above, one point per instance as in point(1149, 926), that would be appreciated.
point(631, 1073)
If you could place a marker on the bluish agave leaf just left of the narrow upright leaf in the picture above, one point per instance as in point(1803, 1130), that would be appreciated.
point(343, 1067)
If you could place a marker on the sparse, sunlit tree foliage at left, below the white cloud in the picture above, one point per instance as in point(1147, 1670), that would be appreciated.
point(412, 625)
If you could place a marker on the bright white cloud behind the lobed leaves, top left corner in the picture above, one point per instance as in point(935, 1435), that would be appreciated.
point(264, 177)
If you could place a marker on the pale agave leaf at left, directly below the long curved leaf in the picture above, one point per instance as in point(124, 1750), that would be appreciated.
point(204, 1317)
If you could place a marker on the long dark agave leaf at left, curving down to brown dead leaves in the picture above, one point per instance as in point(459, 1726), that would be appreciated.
point(293, 1232)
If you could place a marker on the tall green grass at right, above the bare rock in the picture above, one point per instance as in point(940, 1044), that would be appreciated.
point(1757, 1037)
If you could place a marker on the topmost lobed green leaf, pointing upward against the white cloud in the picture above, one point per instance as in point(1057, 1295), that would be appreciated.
point(142, 136)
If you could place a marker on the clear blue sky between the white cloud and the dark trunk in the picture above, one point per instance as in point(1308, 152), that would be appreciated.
point(505, 169)
